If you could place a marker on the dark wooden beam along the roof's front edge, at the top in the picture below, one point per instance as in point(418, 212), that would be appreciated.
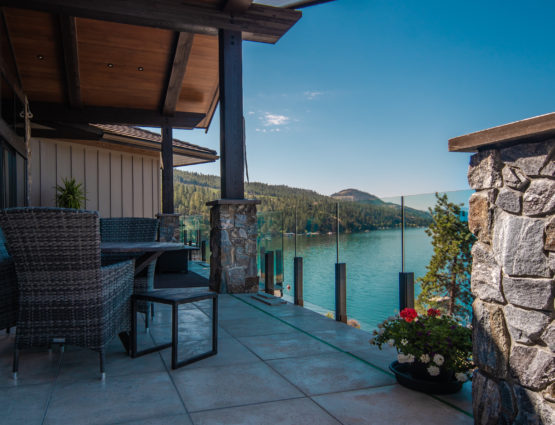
point(259, 23)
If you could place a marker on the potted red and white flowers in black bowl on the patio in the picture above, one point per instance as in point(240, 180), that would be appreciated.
point(434, 350)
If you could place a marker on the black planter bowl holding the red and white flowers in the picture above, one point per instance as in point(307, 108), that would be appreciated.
point(409, 377)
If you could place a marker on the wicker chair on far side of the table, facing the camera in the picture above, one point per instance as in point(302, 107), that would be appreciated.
point(132, 229)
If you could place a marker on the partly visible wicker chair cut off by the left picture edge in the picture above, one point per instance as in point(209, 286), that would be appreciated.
point(8, 288)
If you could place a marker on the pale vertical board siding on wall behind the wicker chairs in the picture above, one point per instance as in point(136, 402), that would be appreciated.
point(117, 184)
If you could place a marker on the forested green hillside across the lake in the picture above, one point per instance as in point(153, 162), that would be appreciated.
point(315, 212)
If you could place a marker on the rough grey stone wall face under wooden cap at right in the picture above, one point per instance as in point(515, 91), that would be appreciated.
point(512, 214)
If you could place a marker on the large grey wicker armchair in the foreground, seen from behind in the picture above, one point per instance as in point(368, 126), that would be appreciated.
point(65, 296)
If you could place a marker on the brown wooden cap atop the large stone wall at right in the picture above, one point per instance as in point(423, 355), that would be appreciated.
point(535, 129)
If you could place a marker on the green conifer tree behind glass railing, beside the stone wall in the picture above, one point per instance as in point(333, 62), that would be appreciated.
point(446, 284)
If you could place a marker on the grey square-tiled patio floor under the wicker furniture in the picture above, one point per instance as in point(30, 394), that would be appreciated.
point(276, 365)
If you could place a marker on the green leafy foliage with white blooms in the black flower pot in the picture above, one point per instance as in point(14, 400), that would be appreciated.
point(421, 339)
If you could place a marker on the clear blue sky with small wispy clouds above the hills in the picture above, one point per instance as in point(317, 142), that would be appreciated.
point(366, 94)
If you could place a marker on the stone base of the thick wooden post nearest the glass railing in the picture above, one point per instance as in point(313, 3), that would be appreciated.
point(233, 230)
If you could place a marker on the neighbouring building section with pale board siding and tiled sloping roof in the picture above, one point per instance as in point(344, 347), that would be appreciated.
point(119, 166)
